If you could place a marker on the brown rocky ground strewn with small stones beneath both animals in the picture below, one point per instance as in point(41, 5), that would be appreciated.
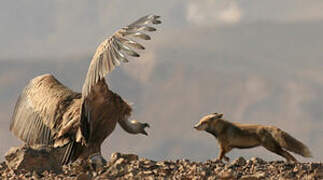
point(129, 166)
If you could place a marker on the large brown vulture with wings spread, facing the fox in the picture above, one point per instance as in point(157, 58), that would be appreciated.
point(50, 115)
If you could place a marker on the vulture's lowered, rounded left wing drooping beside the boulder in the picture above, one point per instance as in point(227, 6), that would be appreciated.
point(38, 112)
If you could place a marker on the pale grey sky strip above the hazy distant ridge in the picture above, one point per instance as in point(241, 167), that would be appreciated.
point(58, 28)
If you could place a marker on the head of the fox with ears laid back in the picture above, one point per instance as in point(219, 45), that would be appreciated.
point(207, 121)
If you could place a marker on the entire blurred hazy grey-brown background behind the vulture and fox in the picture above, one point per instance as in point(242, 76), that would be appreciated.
point(256, 61)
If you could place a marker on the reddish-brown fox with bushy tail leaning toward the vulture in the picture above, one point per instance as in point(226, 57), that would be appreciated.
point(235, 135)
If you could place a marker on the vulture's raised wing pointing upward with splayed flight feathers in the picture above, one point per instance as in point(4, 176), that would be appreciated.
point(115, 49)
